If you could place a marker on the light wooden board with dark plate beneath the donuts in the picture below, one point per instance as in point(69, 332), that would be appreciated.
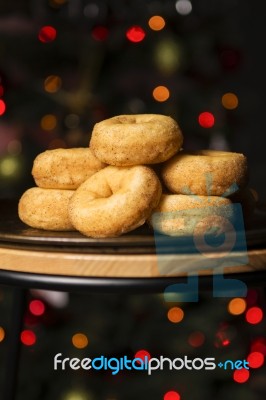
point(25, 249)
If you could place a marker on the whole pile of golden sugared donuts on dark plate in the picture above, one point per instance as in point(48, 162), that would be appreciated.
point(111, 187)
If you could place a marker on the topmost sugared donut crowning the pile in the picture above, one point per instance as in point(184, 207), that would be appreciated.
point(127, 140)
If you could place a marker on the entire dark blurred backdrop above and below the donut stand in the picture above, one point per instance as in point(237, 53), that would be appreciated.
point(53, 92)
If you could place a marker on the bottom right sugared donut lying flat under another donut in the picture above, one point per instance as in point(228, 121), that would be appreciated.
point(184, 215)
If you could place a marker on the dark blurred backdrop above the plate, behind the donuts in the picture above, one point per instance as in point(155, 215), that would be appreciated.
point(97, 72)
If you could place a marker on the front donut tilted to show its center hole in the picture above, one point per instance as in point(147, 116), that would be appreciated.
point(114, 201)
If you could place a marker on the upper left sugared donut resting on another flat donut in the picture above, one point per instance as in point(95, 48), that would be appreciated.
point(64, 168)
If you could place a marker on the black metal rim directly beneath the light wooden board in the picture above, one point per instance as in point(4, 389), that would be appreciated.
point(115, 285)
